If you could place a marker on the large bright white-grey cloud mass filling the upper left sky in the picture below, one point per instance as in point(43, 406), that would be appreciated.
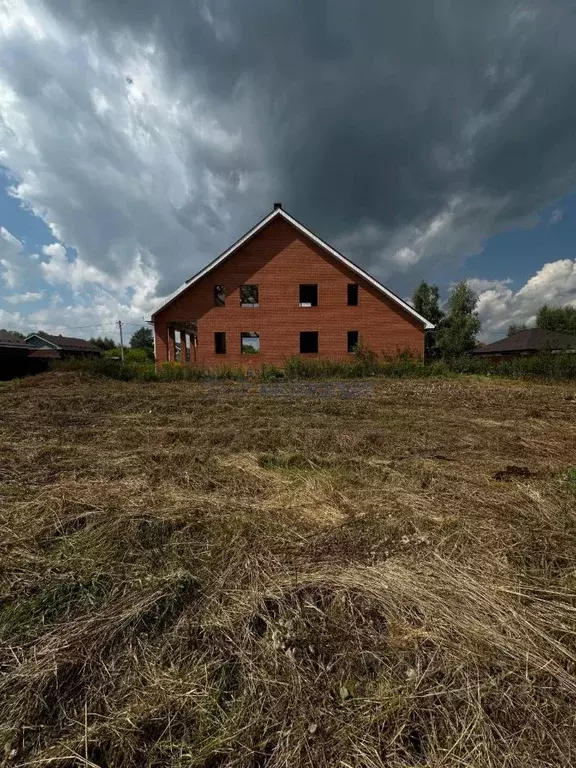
point(135, 170)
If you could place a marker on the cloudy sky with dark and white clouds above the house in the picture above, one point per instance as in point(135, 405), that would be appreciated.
point(429, 139)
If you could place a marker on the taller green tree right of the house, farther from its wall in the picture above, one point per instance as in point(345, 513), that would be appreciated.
point(457, 335)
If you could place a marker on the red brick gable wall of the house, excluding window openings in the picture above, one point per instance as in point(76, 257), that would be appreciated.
point(278, 259)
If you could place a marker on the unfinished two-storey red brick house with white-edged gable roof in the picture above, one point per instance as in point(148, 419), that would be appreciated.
point(278, 292)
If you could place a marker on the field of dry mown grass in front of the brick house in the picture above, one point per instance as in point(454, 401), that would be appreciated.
point(366, 574)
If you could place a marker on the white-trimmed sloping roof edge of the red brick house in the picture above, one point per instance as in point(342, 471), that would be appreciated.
point(279, 212)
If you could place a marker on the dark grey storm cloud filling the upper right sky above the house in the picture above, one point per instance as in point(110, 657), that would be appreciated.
point(407, 131)
